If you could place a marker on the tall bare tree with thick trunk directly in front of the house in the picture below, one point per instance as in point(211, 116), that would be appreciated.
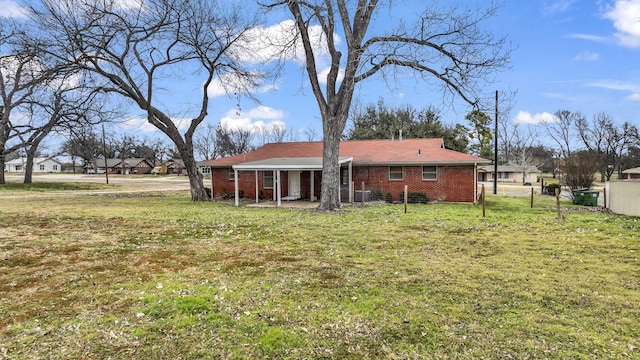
point(443, 44)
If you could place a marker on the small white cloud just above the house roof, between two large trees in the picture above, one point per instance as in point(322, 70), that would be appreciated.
point(255, 120)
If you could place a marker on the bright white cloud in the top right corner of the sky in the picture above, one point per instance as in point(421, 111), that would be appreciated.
point(625, 15)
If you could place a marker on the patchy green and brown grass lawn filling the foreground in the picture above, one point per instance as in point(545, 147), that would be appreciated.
point(131, 276)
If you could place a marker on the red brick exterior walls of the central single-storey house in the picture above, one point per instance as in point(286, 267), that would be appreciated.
point(453, 184)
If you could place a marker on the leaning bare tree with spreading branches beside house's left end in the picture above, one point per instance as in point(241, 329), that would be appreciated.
point(129, 50)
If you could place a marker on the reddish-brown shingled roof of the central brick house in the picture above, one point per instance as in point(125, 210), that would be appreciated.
point(363, 152)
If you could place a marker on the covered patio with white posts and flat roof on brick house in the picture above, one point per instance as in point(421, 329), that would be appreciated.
point(294, 167)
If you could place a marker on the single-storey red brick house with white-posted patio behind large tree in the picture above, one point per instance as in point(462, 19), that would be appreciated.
point(383, 166)
